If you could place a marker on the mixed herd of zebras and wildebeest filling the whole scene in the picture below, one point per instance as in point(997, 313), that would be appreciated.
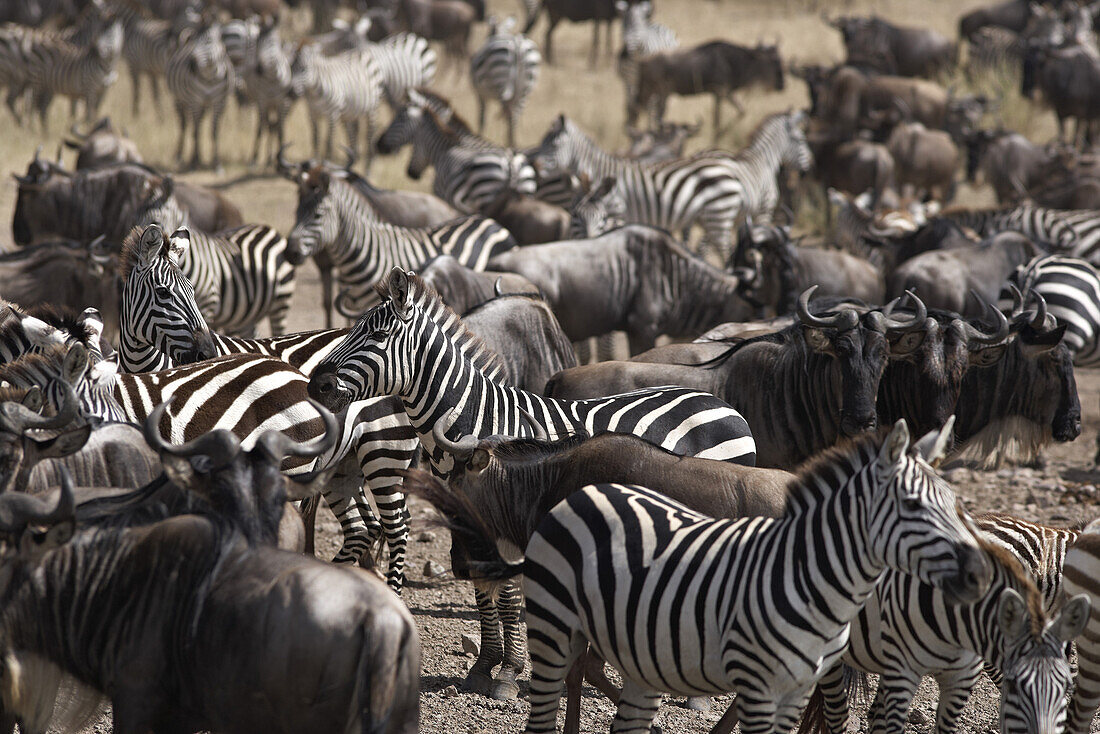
point(751, 501)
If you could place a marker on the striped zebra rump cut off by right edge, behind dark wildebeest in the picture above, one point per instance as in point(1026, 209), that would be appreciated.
point(1072, 290)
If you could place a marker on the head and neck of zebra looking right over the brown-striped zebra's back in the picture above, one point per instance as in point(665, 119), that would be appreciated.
point(161, 322)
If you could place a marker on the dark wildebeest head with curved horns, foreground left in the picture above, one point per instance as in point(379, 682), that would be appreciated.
point(247, 488)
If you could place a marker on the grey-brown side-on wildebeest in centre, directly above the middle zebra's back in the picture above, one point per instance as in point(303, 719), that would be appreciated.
point(636, 279)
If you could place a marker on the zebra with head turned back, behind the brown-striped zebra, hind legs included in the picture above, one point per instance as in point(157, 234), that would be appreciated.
point(160, 322)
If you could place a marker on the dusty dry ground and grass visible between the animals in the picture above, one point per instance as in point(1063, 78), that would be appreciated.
point(1064, 492)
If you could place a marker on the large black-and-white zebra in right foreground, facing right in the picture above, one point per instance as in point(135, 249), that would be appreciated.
point(688, 605)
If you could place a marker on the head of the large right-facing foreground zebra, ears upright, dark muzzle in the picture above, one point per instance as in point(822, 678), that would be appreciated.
point(916, 523)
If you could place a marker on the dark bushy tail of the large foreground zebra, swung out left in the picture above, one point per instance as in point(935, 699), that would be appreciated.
point(468, 524)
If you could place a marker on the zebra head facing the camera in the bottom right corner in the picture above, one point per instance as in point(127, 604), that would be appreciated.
point(1036, 672)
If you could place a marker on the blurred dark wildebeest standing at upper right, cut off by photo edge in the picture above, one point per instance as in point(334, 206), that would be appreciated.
point(1070, 80)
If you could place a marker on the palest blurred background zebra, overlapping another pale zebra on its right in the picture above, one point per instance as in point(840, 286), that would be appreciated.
point(343, 89)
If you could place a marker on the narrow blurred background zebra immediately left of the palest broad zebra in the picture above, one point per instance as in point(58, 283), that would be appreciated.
point(263, 68)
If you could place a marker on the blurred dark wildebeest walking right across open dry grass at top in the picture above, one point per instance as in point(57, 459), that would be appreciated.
point(718, 69)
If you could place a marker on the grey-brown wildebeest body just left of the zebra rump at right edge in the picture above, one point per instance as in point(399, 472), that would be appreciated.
point(944, 279)
